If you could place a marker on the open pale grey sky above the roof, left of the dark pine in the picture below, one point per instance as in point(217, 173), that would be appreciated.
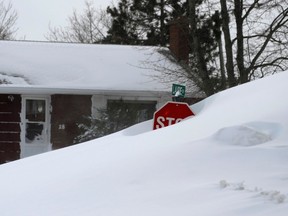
point(34, 16)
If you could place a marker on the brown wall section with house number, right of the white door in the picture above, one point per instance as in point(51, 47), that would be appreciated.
point(67, 112)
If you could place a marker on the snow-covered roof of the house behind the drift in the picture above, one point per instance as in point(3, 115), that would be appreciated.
point(50, 67)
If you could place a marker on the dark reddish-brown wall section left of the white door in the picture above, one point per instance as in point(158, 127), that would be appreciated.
point(10, 108)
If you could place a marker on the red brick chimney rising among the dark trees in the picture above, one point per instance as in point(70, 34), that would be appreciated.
point(179, 41)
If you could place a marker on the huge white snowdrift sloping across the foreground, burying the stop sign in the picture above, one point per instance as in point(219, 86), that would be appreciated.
point(230, 159)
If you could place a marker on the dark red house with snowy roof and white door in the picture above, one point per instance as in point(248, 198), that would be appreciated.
point(47, 88)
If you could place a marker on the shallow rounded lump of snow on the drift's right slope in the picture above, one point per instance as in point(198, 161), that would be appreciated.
point(254, 133)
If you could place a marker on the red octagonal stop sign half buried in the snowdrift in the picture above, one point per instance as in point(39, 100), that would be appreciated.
point(171, 113)
